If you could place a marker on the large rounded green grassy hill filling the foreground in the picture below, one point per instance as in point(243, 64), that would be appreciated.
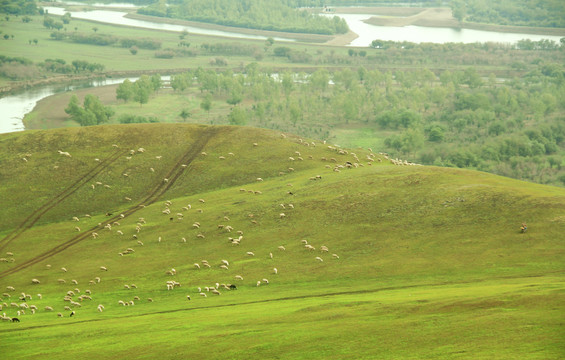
point(429, 262)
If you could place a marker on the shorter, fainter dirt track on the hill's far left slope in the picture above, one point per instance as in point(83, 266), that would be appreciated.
point(37, 214)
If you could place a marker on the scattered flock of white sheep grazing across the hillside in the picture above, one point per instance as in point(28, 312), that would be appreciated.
point(73, 300)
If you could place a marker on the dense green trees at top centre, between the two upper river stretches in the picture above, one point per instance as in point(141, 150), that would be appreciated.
point(254, 14)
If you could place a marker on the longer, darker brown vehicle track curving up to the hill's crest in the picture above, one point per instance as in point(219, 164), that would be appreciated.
point(158, 190)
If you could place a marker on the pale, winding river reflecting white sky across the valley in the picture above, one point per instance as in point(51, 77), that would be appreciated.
point(14, 107)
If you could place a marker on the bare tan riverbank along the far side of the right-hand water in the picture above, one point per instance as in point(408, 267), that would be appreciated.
point(439, 17)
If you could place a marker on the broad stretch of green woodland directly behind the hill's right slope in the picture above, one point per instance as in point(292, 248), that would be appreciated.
point(459, 118)
